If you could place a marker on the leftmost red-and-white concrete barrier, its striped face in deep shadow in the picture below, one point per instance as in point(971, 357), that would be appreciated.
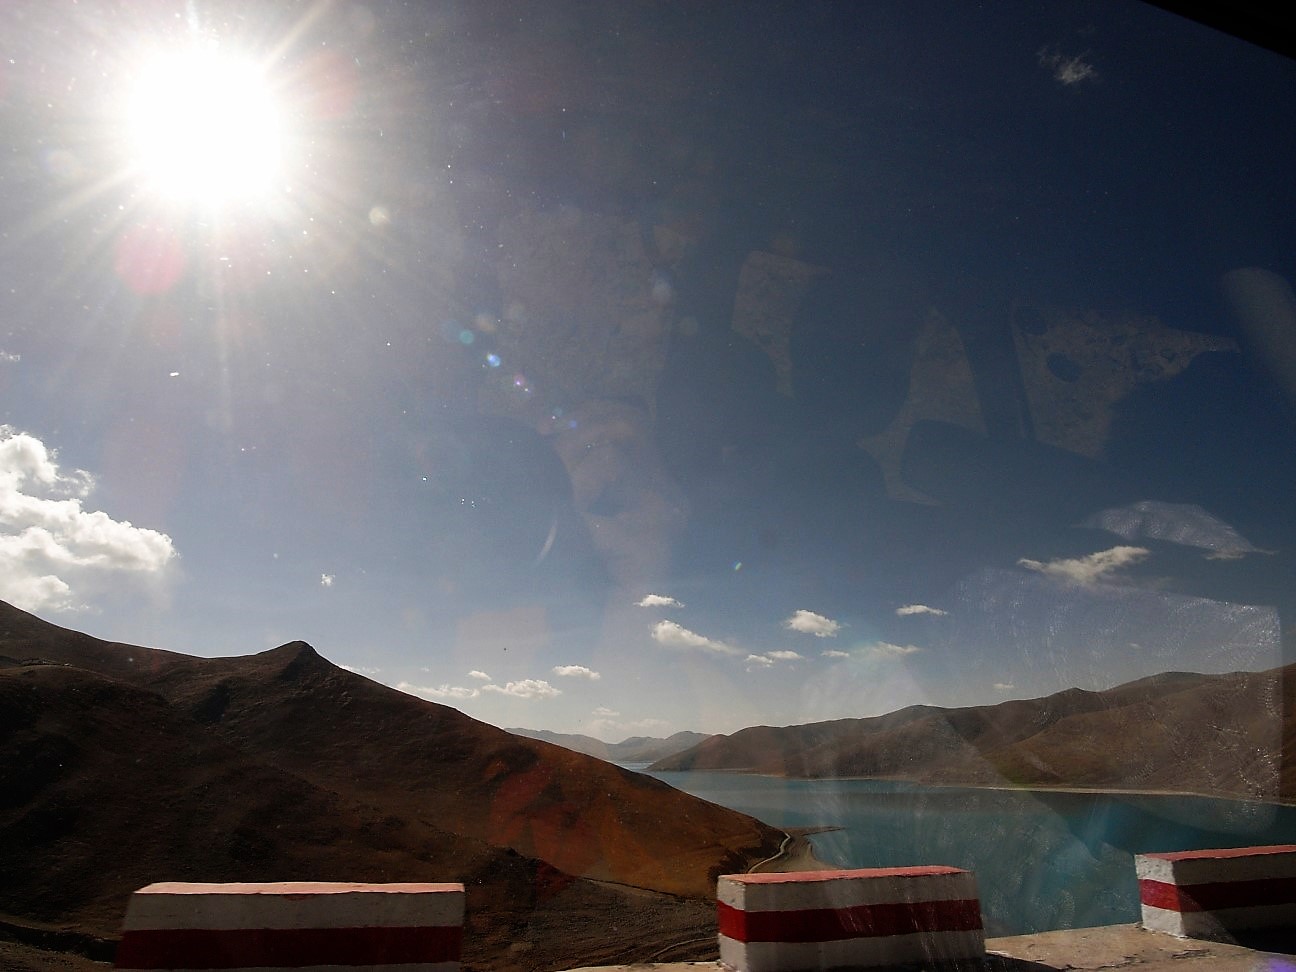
point(303, 926)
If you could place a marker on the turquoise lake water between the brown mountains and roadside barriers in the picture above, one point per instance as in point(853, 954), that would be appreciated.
point(1043, 860)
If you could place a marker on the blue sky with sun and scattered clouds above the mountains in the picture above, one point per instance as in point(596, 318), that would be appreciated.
point(631, 371)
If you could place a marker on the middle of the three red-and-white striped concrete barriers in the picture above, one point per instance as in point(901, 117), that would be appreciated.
point(835, 920)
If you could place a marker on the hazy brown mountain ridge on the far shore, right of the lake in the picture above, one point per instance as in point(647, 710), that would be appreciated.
point(1224, 735)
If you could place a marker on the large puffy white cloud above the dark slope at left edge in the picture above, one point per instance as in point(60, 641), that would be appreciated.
point(49, 542)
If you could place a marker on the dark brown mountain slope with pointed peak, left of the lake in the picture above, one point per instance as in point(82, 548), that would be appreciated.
point(126, 765)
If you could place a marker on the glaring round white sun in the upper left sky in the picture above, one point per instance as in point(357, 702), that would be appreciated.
point(205, 129)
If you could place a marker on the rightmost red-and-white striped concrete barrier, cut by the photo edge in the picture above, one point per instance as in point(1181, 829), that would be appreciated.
point(1211, 894)
